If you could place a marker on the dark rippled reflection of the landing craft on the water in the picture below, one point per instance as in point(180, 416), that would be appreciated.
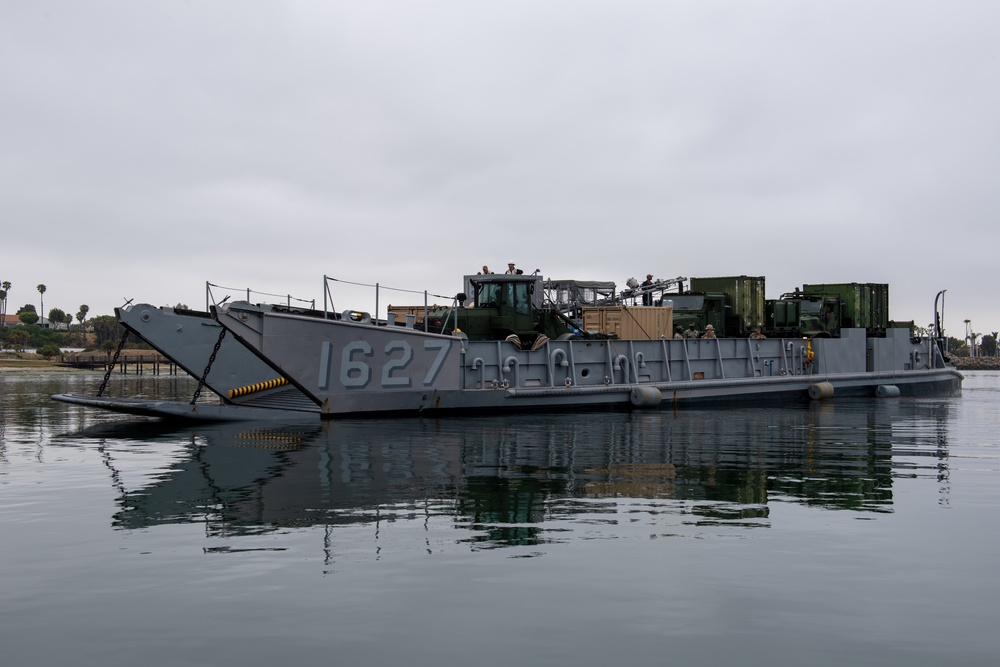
point(505, 481)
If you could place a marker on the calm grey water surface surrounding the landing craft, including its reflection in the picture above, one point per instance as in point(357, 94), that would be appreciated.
point(850, 532)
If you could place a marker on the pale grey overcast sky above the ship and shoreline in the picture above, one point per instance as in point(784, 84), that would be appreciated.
point(149, 147)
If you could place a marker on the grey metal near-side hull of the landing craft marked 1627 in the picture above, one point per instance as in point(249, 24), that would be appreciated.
point(357, 368)
